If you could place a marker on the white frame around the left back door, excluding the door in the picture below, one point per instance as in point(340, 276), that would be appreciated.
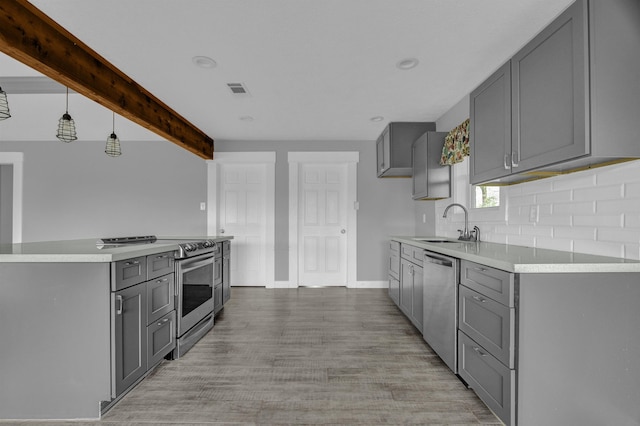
point(269, 160)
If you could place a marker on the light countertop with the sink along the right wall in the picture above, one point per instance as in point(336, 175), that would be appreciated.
point(525, 259)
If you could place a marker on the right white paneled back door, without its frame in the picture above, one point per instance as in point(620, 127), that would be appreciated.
point(323, 223)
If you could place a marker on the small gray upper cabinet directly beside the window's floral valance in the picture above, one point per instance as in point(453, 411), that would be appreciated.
point(431, 181)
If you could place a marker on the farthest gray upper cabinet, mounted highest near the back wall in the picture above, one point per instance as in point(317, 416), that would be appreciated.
point(393, 147)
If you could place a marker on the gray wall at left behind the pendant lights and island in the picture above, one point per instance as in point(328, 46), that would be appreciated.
point(76, 191)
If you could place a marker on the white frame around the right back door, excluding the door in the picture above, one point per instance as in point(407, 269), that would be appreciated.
point(295, 160)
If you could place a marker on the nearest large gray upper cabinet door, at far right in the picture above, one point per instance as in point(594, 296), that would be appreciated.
point(549, 110)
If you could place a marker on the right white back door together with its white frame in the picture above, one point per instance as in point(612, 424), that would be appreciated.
point(322, 219)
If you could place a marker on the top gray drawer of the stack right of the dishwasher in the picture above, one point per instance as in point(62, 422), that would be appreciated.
point(490, 282)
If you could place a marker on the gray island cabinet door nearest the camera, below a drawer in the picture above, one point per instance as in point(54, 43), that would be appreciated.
point(130, 336)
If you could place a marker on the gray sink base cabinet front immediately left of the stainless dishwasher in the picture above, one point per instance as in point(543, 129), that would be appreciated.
point(411, 284)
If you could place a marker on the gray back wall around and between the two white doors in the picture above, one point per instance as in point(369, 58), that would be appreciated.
point(386, 207)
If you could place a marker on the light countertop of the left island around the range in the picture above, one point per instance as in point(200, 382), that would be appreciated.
point(86, 250)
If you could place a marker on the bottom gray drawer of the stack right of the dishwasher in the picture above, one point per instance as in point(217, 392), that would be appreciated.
point(489, 378)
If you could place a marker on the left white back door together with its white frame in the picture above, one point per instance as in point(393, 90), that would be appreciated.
point(244, 200)
